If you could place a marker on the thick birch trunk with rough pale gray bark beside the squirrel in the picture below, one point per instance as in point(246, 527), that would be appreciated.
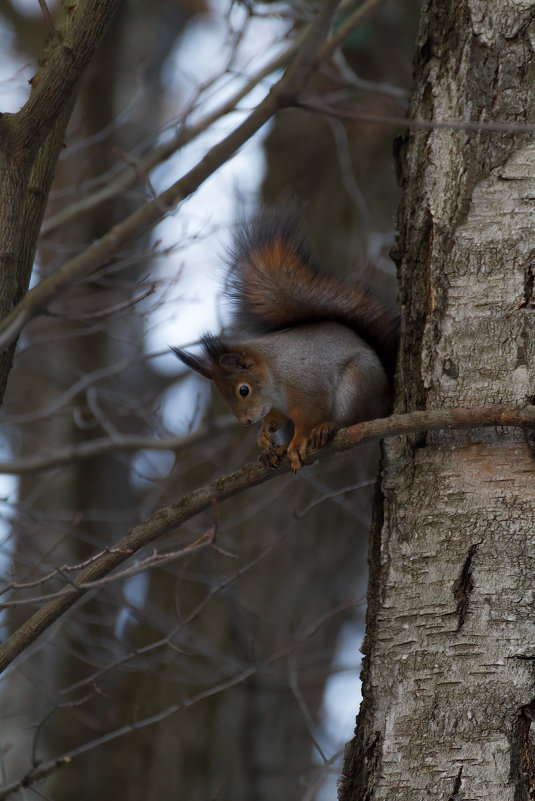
point(448, 689)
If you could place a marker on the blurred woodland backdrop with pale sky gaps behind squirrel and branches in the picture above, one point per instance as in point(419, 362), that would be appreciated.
point(246, 633)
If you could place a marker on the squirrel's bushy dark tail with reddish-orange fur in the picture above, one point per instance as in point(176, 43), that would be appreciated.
point(274, 284)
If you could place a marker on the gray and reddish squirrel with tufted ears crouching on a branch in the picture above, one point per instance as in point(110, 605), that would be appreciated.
point(322, 352)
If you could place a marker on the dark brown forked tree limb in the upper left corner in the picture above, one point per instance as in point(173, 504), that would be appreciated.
point(30, 143)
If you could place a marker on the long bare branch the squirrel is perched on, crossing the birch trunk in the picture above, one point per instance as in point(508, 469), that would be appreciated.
point(169, 518)
